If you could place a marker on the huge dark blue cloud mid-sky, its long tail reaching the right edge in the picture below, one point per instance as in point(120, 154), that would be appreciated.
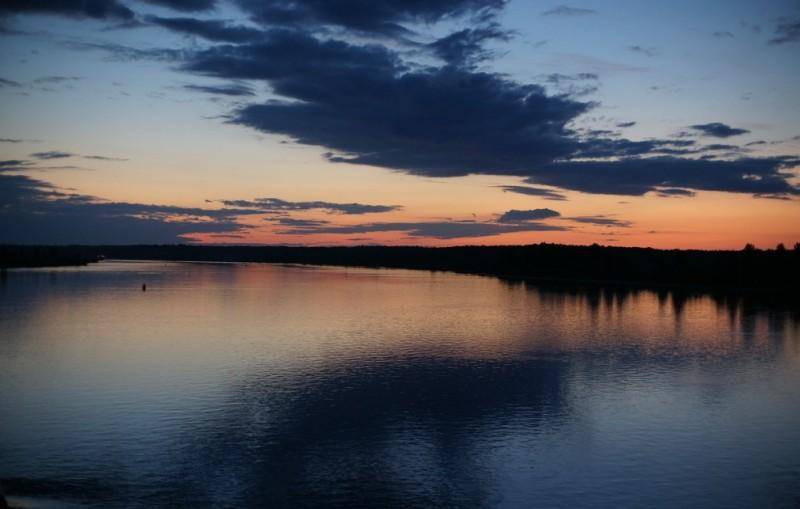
point(364, 105)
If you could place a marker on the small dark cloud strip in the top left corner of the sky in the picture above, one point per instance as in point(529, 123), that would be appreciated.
point(96, 9)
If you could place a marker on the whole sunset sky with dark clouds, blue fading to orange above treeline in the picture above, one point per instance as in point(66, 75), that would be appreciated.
point(669, 124)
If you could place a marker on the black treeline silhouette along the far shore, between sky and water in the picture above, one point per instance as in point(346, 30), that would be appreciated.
point(750, 268)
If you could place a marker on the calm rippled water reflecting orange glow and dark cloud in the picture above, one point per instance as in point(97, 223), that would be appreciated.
point(266, 386)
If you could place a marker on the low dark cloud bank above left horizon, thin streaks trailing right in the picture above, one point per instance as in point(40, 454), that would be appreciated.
point(39, 212)
